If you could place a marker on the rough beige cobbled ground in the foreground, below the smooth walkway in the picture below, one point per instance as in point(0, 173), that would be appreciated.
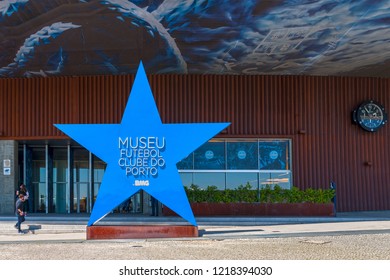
point(340, 247)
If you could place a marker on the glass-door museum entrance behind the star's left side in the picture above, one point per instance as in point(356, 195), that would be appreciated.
point(65, 179)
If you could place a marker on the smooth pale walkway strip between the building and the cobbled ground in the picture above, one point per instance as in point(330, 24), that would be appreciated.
point(72, 228)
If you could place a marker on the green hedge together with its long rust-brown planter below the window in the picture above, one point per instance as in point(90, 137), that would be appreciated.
point(267, 201)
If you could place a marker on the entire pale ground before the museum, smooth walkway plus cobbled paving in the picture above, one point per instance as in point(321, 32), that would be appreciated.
point(349, 236)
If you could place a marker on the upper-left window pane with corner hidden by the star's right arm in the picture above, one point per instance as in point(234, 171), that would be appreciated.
point(210, 156)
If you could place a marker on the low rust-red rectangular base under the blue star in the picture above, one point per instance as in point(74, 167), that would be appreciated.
point(141, 231)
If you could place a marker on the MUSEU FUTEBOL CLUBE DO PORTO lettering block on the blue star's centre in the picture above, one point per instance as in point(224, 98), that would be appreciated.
point(141, 156)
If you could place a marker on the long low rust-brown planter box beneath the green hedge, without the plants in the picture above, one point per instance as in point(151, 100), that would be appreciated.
point(258, 209)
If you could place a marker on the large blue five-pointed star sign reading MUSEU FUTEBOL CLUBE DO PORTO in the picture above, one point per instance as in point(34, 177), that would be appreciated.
point(141, 153)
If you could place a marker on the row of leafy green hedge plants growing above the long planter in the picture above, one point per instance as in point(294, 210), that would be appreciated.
point(267, 194)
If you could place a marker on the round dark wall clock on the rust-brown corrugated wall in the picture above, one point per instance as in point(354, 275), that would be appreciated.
point(370, 115)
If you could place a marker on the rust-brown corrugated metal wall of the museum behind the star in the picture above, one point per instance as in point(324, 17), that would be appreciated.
point(314, 112)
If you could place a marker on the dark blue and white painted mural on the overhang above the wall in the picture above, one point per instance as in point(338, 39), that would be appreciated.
point(279, 37)
